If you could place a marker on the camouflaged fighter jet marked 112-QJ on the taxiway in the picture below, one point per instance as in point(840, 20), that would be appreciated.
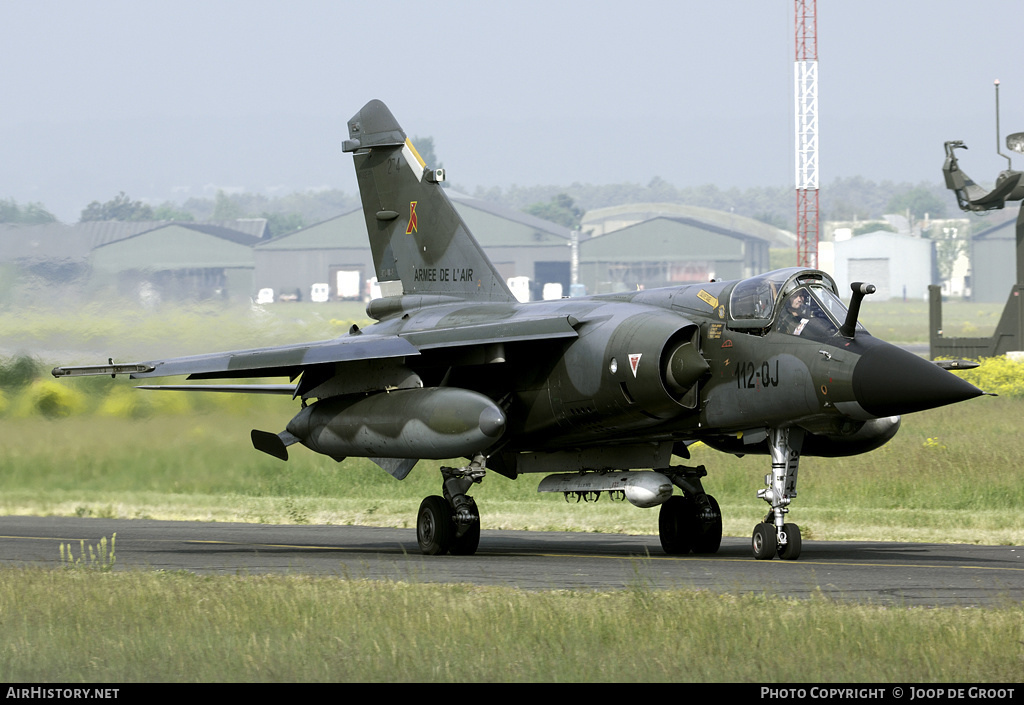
point(599, 393)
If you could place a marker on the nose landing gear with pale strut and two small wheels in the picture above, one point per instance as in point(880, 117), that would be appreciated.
point(775, 536)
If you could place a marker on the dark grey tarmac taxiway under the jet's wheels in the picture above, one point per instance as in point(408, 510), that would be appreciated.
point(912, 574)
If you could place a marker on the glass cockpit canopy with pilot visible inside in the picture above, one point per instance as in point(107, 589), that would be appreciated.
point(796, 302)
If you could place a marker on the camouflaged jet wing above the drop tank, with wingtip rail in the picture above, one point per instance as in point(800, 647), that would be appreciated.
point(290, 361)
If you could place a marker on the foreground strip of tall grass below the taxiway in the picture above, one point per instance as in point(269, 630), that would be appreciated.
point(133, 627)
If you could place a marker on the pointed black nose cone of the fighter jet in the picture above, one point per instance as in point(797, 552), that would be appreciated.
point(889, 382)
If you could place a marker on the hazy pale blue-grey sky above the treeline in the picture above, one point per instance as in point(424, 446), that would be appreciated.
point(173, 100)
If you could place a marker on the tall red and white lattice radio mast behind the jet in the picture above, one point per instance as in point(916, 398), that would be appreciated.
point(807, 133)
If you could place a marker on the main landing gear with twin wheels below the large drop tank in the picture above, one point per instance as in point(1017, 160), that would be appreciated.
point(452, 524)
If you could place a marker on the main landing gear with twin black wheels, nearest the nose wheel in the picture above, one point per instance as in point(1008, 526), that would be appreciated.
point(692, 521)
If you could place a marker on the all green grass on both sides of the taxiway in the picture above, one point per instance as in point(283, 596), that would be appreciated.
point(96, 448)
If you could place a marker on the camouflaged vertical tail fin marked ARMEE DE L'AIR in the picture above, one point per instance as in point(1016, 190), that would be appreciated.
point(416, 235)
